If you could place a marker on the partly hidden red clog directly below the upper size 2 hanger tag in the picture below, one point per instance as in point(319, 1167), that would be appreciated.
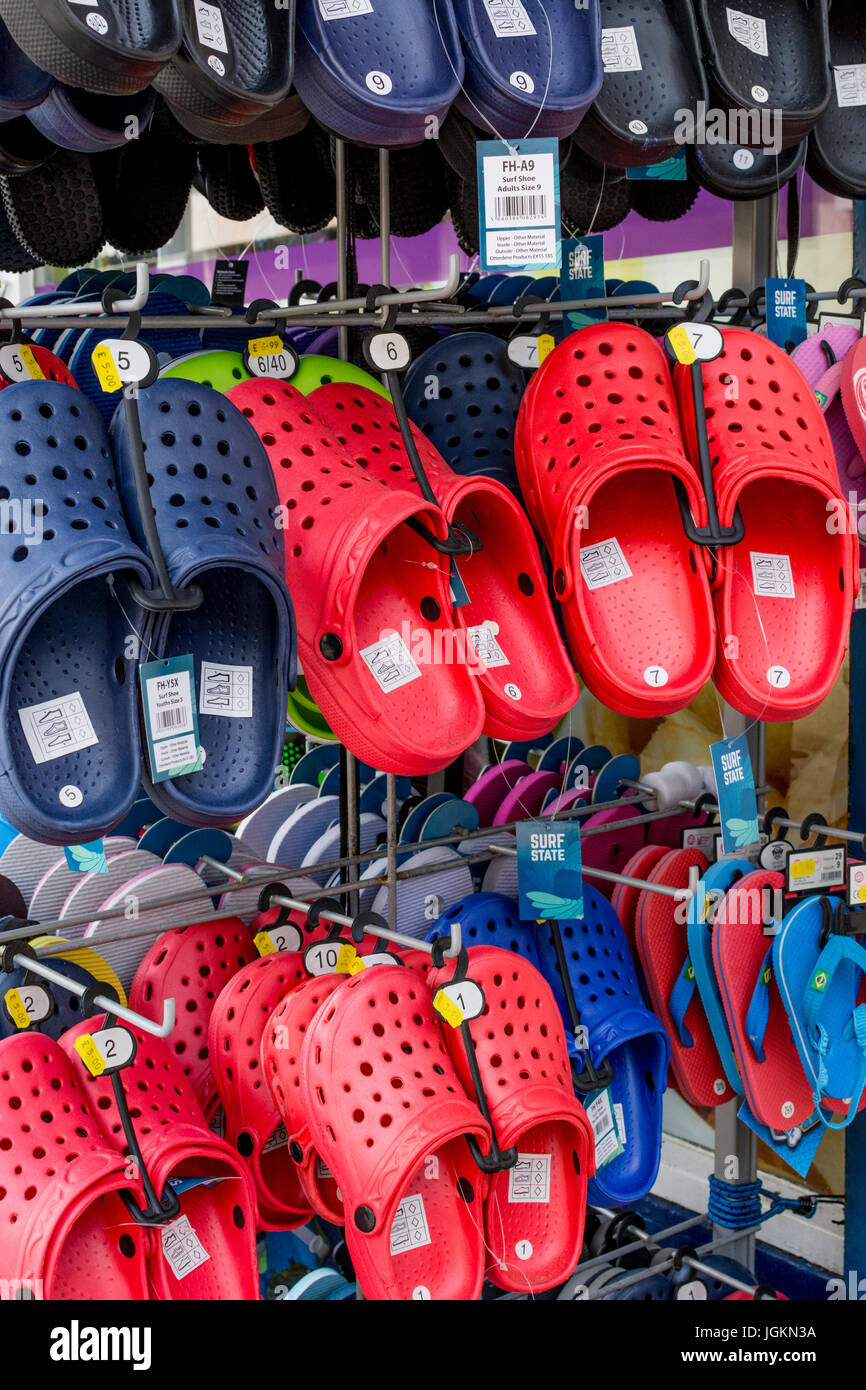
point(238, 1027)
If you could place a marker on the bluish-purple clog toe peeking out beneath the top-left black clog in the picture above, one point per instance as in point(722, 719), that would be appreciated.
point(87, 123)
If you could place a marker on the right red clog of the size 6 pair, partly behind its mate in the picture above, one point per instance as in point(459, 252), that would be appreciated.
point(528, 679)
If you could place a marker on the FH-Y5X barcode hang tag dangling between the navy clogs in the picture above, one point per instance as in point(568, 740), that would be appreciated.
point(170, 718)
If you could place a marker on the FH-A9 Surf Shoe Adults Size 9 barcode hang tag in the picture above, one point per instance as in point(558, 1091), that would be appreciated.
point(519, 205)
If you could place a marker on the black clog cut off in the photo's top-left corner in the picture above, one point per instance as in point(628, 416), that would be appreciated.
point(116, 49)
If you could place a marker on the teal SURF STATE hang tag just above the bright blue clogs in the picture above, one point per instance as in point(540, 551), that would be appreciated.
point(550, 871)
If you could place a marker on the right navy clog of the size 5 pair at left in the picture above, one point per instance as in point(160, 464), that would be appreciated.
point(183, 422)
